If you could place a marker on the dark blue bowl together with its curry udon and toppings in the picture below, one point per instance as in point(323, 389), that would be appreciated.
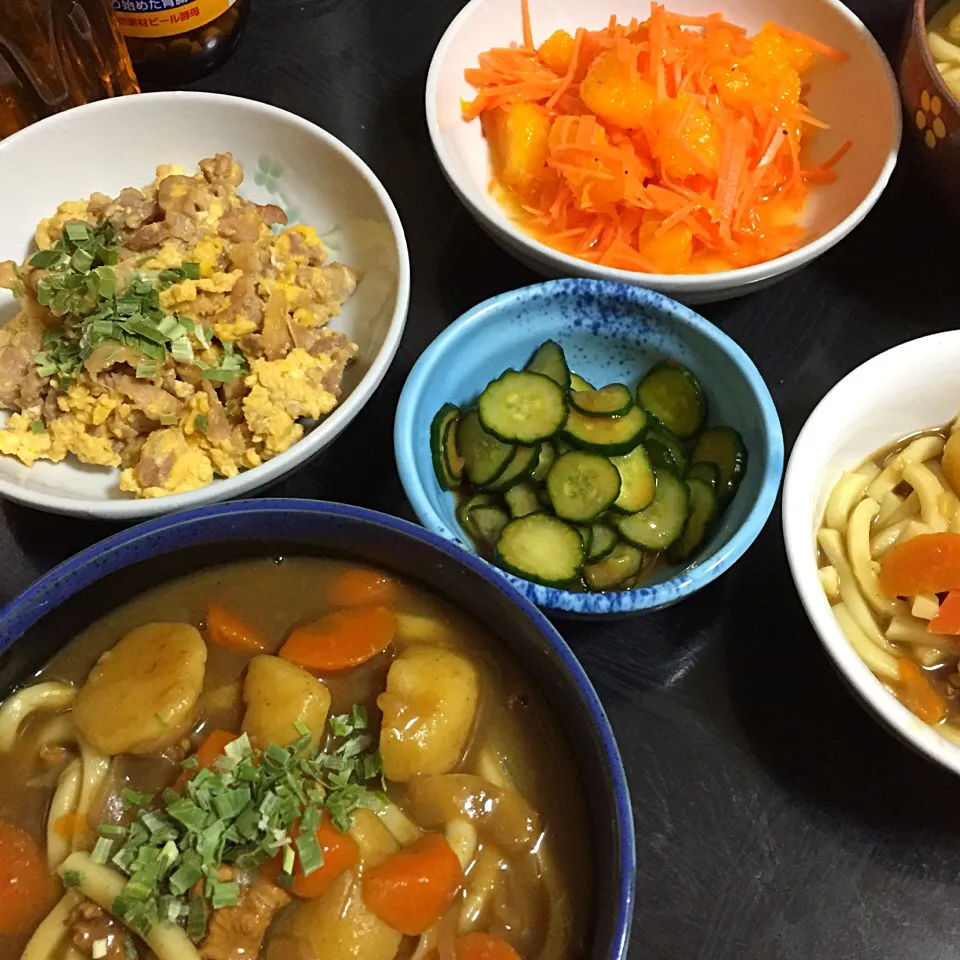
point(539, 738)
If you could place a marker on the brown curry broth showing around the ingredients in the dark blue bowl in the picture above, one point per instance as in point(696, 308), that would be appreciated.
point(275, 595)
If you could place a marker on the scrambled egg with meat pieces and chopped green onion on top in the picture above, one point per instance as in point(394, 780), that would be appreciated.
point(238, 309)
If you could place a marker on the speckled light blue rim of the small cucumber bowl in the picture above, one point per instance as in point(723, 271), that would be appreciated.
point(642, 597)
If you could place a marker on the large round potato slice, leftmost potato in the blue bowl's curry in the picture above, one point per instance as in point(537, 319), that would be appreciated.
point(141, 696)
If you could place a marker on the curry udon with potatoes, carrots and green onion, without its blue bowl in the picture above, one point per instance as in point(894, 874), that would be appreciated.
point(302, 759)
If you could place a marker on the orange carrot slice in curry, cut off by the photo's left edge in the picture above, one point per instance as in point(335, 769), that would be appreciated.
point(25, 886)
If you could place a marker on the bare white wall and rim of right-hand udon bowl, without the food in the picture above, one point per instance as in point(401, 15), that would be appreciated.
point(901, 392)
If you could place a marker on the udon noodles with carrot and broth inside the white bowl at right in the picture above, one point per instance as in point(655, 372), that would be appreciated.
point(889, 559)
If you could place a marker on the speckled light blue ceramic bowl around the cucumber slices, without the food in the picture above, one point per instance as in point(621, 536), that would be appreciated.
point(609, 332)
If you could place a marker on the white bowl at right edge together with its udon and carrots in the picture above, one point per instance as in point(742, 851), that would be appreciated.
point(870, 519)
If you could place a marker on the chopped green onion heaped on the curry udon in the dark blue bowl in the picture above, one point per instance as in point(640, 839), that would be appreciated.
point(240, 812)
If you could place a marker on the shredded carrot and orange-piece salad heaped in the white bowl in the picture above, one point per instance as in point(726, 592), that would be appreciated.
point(635, 131)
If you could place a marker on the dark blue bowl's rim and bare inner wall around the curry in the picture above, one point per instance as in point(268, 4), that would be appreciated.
point(79, 591)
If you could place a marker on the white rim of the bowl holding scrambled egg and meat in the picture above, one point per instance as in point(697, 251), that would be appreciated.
point(325, 432)
